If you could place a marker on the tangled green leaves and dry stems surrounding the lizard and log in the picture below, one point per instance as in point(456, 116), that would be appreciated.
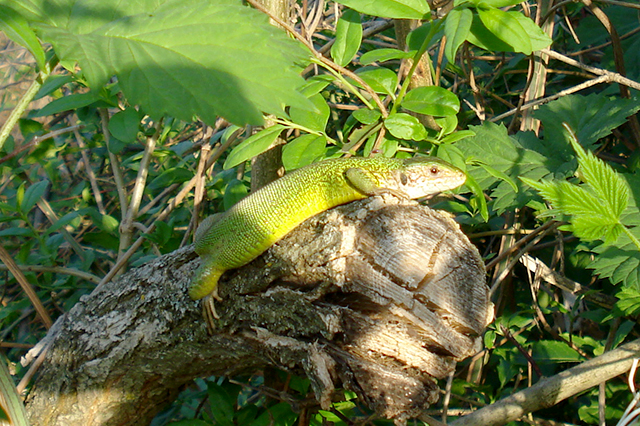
point(123, 125)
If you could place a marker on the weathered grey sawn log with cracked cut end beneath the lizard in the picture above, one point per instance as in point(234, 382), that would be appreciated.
point(380, 296)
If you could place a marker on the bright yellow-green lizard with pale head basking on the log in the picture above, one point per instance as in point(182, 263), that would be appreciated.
point(232, 239)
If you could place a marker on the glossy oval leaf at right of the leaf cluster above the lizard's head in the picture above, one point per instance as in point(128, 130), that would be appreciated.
point(431, 100)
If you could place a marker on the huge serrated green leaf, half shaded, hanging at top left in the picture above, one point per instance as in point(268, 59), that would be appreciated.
point(183, 58)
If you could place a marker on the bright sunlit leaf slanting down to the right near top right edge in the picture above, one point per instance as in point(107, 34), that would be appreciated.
point(507, 28)
